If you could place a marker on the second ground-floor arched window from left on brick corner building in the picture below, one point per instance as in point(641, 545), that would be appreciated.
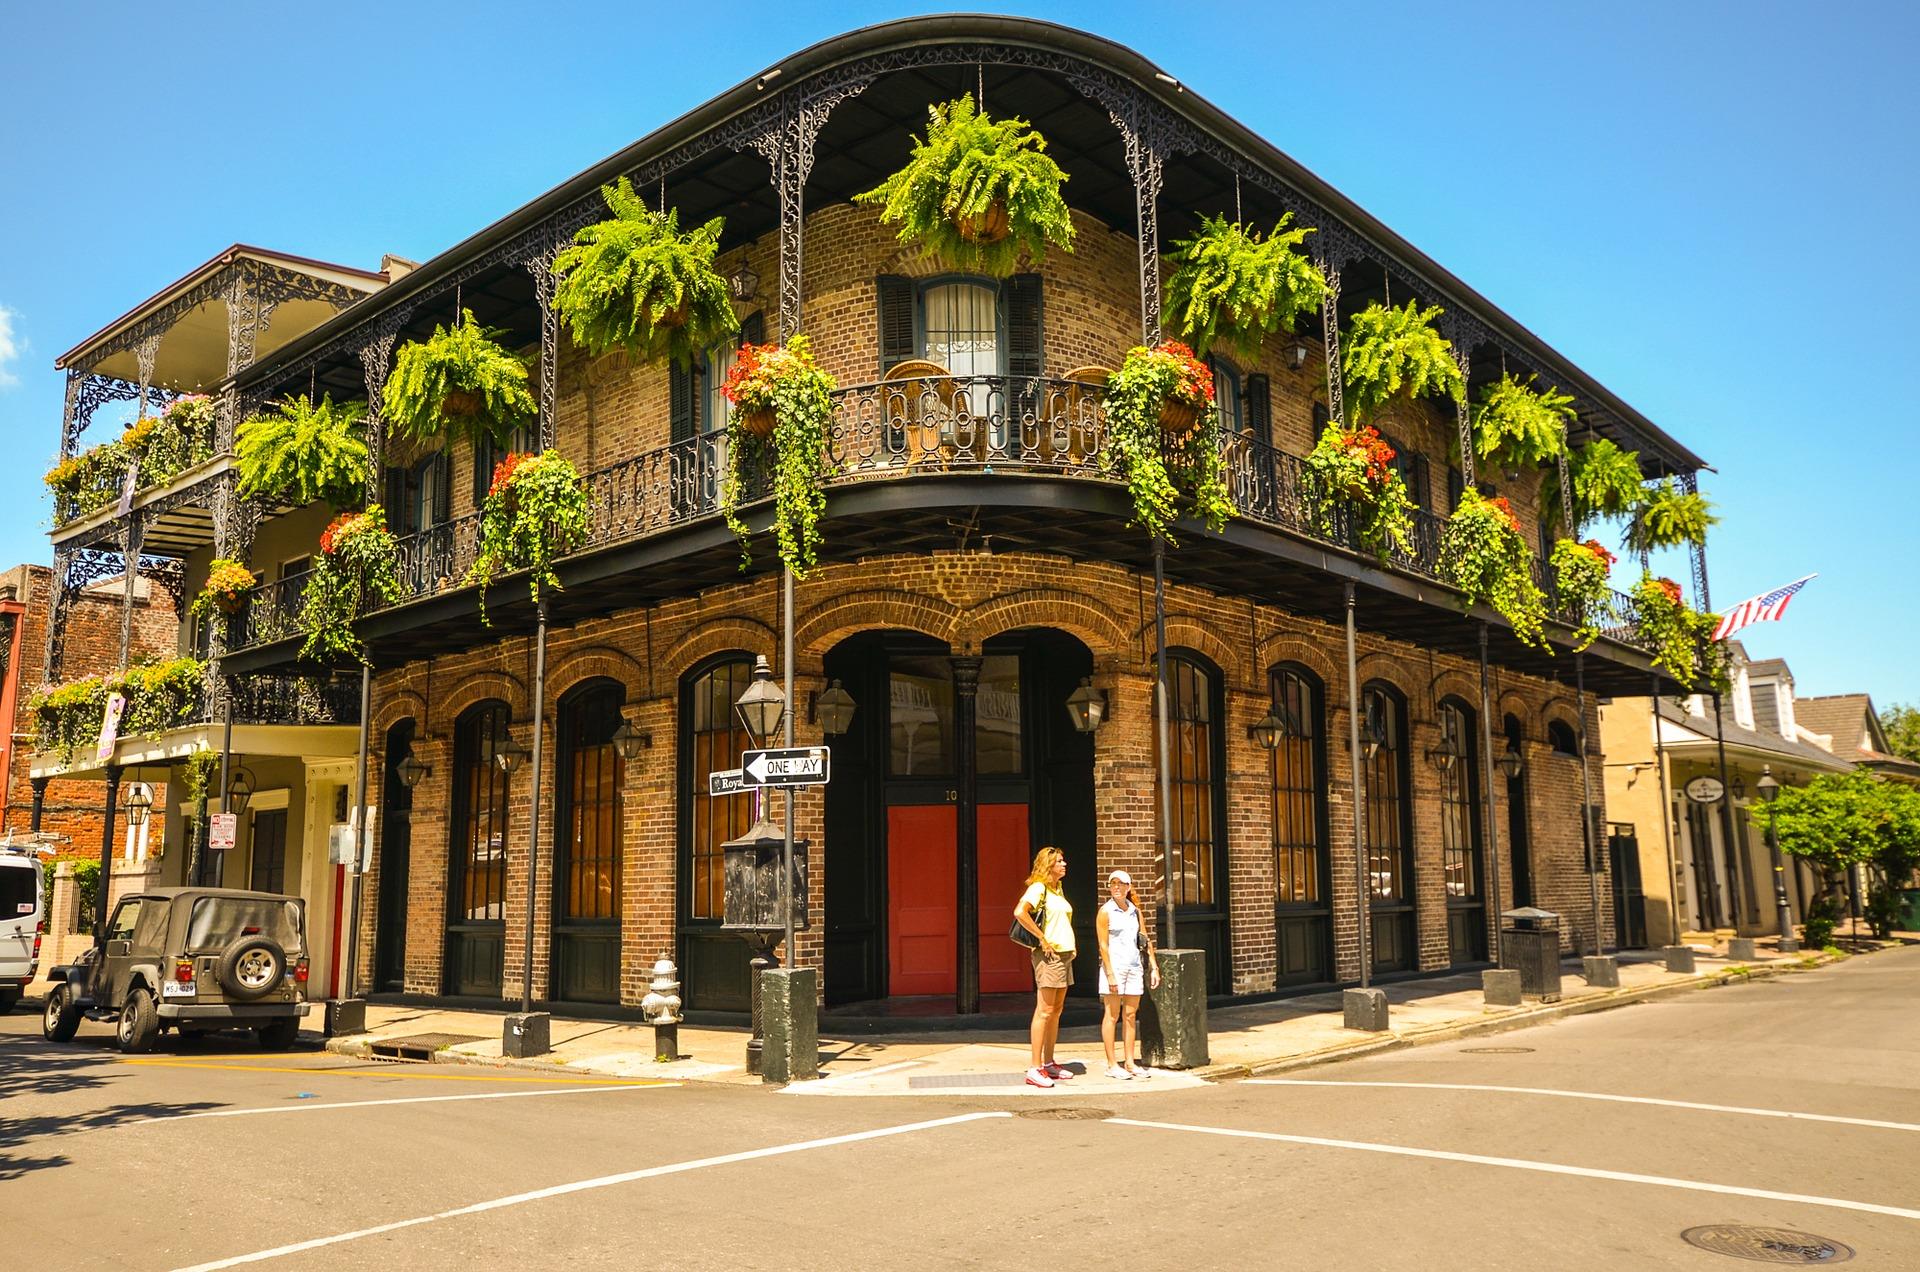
point(477, 854)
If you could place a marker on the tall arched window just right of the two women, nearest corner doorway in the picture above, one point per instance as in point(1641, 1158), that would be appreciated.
point(1197, 808)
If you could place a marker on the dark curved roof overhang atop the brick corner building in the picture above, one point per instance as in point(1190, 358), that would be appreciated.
point(867, 137)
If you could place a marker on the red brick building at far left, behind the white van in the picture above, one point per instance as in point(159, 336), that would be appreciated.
point(70, 808)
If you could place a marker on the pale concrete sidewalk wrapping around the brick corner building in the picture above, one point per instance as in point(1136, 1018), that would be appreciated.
point(1243, 1040)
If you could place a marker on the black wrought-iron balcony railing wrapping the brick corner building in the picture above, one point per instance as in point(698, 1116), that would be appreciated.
point(971, 426)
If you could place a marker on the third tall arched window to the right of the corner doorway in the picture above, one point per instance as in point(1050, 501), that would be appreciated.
point(1389, 829)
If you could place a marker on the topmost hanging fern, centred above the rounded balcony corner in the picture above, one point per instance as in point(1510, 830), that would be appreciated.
point(978, 193)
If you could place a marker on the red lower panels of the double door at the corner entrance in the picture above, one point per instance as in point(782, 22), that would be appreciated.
point(923, 898)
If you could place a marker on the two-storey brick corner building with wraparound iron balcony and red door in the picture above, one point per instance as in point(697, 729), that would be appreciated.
point(976, 572)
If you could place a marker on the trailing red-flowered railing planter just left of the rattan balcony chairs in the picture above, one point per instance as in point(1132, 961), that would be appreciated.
point(782, 406)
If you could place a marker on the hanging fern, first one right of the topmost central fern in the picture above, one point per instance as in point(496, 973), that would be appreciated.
point(1234, 287)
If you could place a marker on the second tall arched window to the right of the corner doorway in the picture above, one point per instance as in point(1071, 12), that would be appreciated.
point(1301, 904)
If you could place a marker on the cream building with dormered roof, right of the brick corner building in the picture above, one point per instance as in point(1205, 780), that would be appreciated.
point(1716, 856)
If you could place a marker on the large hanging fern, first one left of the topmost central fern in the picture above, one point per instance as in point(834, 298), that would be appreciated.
point(635, 281)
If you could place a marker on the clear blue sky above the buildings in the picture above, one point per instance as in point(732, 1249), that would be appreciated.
point(1708, 207)
